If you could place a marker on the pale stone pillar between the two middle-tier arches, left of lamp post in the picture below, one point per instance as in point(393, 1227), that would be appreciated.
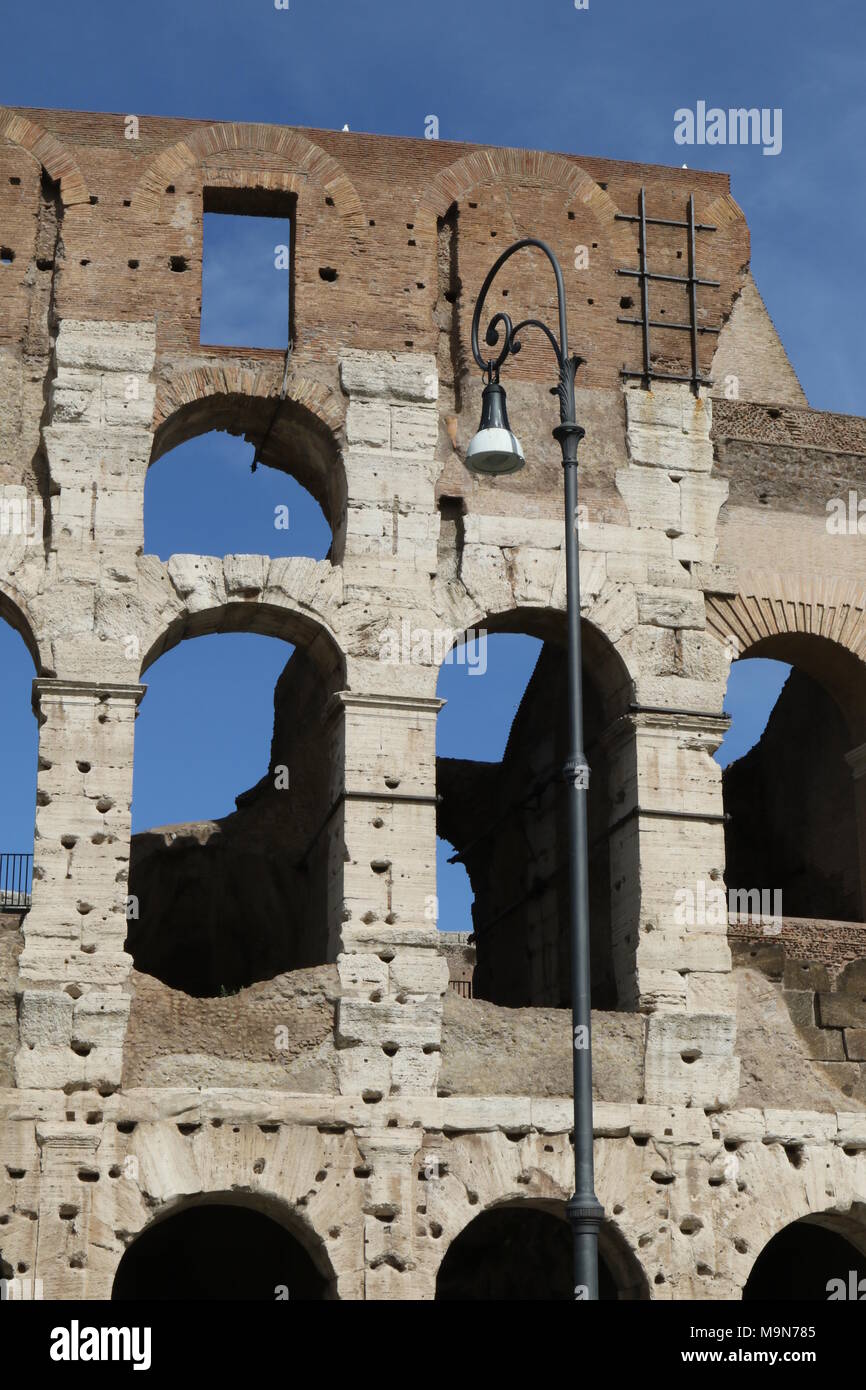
point(384, 868)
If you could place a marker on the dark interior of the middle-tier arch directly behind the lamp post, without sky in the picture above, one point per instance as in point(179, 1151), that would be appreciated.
point(509, 825)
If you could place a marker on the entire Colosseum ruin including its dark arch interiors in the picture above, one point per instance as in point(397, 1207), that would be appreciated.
point(379, 1109)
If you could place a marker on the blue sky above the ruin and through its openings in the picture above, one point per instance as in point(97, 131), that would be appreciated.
point(605, 81)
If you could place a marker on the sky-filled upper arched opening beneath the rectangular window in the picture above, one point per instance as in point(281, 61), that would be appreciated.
point(202, 498)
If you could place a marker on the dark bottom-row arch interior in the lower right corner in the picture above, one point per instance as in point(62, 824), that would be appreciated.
point(800, 1263)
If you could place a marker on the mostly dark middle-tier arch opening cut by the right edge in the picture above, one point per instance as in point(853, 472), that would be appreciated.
point(796, 803)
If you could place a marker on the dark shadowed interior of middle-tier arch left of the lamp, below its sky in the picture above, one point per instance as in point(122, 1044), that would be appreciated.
point(227, 904)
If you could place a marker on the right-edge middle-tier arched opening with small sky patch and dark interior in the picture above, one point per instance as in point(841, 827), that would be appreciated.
point(794, 831)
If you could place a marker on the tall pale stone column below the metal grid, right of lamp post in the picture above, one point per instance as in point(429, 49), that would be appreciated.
point(671, 826)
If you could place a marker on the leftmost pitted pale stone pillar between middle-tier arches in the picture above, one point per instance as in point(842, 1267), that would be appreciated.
point(74, 967)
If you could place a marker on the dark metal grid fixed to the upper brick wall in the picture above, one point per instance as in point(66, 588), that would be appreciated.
point(644, 275)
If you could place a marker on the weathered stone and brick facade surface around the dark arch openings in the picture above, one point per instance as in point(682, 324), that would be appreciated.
point(400, 1113)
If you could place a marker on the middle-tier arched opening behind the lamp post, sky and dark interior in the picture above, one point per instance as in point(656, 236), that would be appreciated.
point(504, 807)
